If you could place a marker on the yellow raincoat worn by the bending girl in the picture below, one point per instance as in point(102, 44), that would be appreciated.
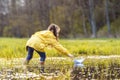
point(42, 39)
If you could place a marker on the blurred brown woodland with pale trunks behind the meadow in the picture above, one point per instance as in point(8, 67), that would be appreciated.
point(77, 18)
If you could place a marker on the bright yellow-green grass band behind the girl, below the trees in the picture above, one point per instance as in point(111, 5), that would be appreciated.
point(15, 47)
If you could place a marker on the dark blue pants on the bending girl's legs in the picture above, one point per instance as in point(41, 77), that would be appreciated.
point(30, 54)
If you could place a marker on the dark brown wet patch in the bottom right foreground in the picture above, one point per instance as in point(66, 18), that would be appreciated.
point(96, 73)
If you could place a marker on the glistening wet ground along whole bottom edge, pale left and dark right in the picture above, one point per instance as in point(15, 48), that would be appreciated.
point(84, 73)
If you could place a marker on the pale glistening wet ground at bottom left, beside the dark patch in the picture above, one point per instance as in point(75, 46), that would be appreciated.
point(33, 72)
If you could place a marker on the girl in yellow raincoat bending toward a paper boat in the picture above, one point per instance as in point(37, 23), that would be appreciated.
point(42, 39)
